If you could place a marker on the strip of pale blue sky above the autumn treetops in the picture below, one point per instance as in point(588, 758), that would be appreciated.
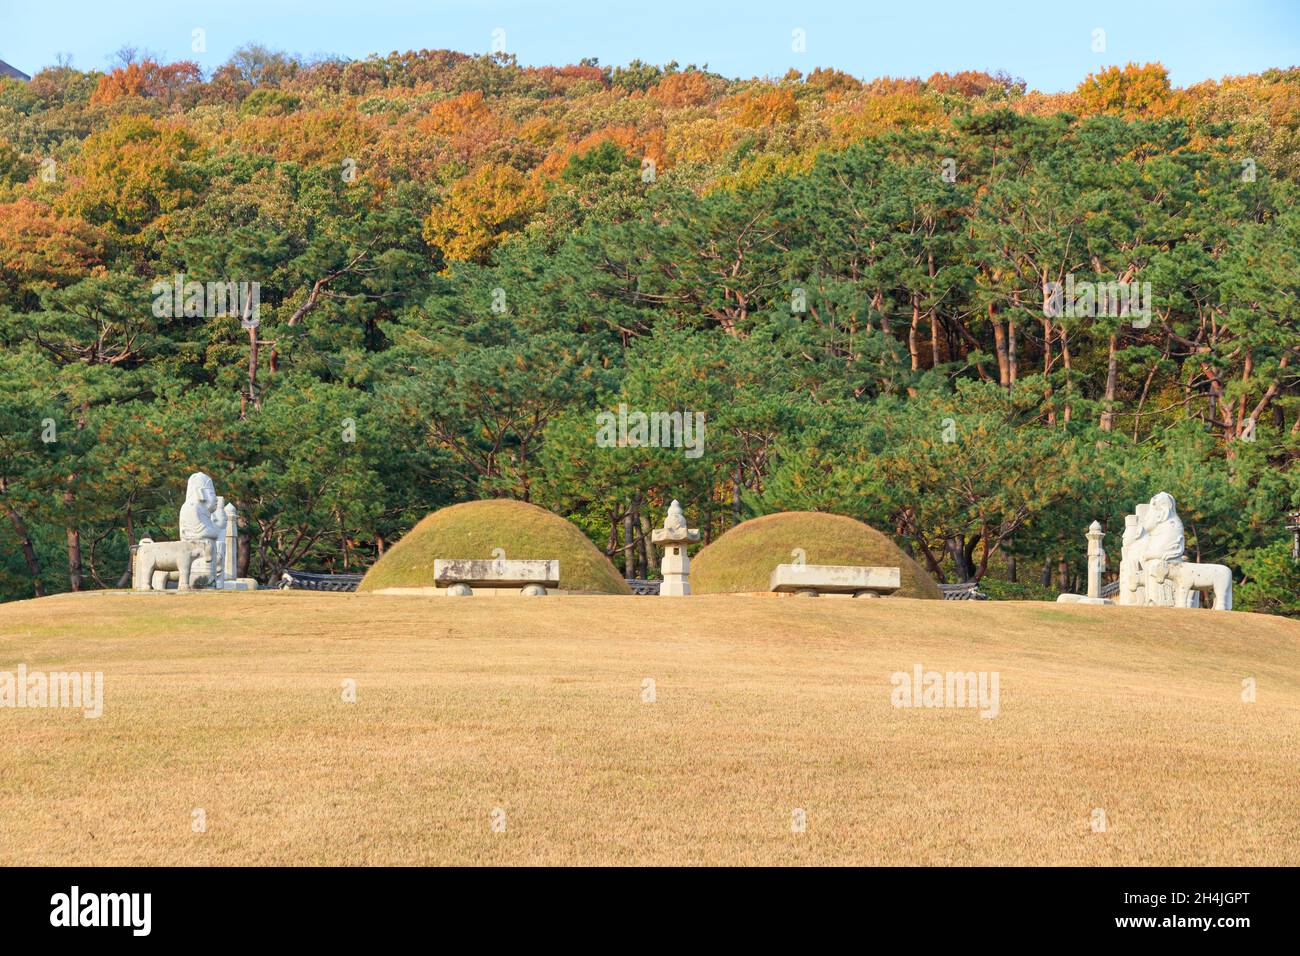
point(1048, 45)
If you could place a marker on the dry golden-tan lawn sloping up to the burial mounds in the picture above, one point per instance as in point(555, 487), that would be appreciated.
point(233, 704)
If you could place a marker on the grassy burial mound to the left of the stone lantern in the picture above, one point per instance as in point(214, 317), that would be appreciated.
point(476, 529)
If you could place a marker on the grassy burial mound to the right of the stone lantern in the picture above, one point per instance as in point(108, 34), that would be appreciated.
point(743, 559)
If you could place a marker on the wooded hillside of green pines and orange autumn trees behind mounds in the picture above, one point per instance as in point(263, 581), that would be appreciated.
point(462, 262)
